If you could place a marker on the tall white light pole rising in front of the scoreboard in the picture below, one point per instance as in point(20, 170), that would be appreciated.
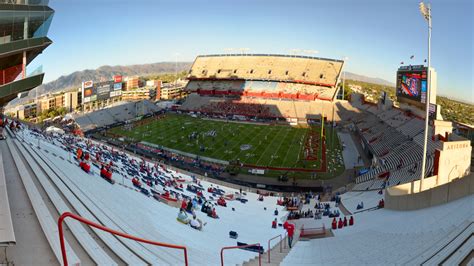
point(426, 12)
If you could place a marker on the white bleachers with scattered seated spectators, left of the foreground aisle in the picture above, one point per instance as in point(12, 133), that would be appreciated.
point(123, 208)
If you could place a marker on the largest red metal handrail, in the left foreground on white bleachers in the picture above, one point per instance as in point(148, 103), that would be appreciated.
point(101, 227)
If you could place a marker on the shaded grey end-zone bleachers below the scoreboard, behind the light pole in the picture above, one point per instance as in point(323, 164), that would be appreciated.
point(397, 141)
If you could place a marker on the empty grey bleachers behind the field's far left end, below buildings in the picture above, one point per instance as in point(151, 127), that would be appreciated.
point(118, 113)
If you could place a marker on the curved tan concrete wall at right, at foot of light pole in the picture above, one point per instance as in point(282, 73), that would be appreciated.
point(408, 196)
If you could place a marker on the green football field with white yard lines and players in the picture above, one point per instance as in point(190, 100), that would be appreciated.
point(262, 145)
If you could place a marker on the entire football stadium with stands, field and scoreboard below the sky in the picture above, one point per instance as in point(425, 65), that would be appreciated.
point(258, 159)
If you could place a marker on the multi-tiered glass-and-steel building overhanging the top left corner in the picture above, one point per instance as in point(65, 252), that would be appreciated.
point(22, 38)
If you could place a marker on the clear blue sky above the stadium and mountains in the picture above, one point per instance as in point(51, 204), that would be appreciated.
point(376, 35)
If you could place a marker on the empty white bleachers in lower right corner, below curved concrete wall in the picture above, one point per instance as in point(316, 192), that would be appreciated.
point(440, 235)
